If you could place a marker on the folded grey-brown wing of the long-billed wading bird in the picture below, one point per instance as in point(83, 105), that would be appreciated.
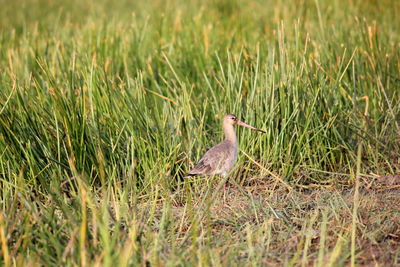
point(212, 161)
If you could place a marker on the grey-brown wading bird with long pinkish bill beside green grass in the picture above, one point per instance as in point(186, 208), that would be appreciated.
point(220, 159)
